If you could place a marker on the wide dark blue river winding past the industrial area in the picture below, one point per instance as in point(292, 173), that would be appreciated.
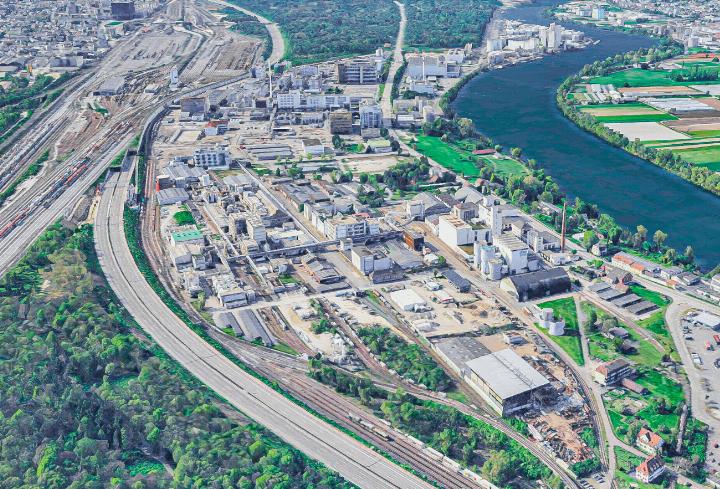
point(515, 106)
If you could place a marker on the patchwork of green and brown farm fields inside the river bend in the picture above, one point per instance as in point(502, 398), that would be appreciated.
point(646, 130)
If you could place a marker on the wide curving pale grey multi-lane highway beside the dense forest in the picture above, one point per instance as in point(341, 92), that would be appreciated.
point(354, 461)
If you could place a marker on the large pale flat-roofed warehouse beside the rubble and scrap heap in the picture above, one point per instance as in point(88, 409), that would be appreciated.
point(505, 381)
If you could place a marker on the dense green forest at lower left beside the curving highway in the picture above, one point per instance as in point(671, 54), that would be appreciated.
point(86, 401)
